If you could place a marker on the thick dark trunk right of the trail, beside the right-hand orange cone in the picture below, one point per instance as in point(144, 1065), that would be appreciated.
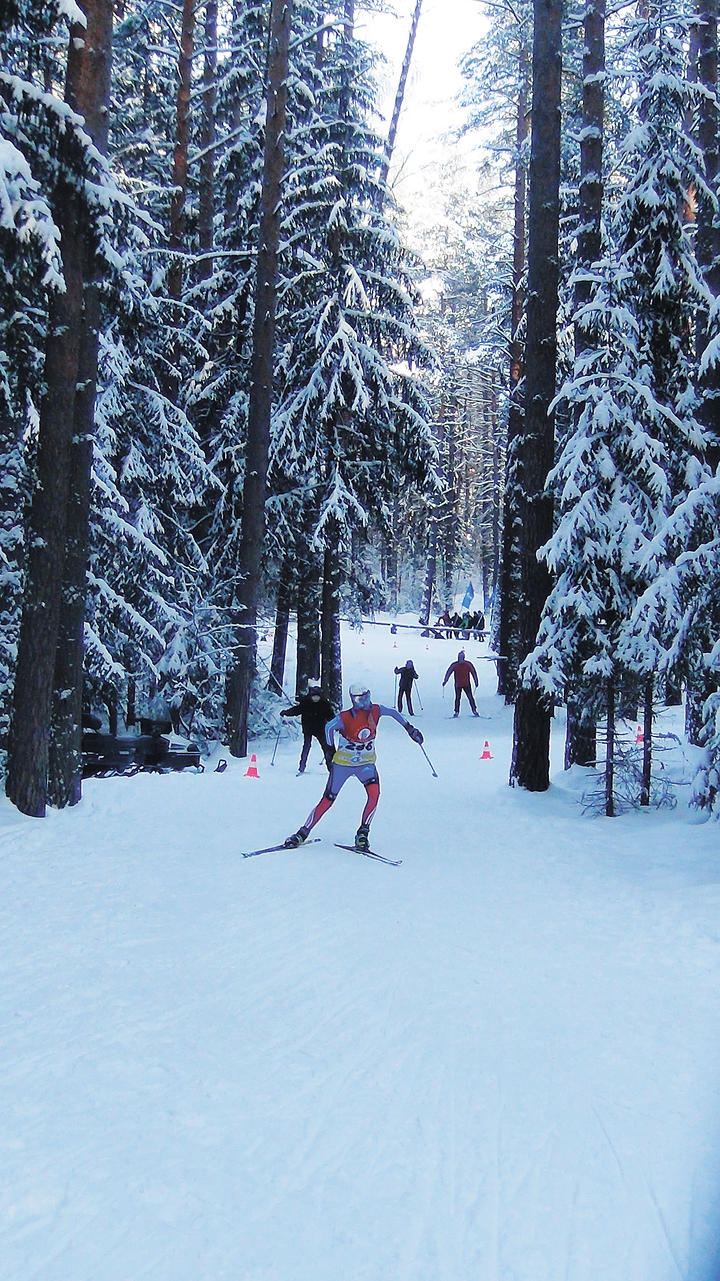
point(531, 735)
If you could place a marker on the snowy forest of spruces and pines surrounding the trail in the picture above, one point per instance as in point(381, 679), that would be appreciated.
point(229, 390)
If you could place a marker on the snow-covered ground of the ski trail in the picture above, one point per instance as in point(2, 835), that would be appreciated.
point(498, 1063)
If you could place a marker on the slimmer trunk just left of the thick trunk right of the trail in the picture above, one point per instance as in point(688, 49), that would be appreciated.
point(509, 571)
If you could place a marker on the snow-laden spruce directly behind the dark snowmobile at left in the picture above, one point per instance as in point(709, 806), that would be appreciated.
point(149, 580)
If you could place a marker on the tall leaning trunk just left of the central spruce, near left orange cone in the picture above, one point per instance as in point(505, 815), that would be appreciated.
point(253, 534)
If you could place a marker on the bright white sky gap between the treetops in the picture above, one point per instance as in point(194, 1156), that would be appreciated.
point(446, 31)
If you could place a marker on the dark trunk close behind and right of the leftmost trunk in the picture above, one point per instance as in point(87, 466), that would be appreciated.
point(89, 94)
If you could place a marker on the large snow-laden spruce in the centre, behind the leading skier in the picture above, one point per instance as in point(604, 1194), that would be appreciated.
point(352, 426)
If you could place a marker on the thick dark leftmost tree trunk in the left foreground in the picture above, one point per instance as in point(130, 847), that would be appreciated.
point(30, 736)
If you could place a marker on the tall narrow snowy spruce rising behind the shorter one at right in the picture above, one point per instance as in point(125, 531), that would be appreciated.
point(658, 247)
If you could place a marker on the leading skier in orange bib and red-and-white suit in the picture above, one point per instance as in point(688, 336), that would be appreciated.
point(354, 756)
